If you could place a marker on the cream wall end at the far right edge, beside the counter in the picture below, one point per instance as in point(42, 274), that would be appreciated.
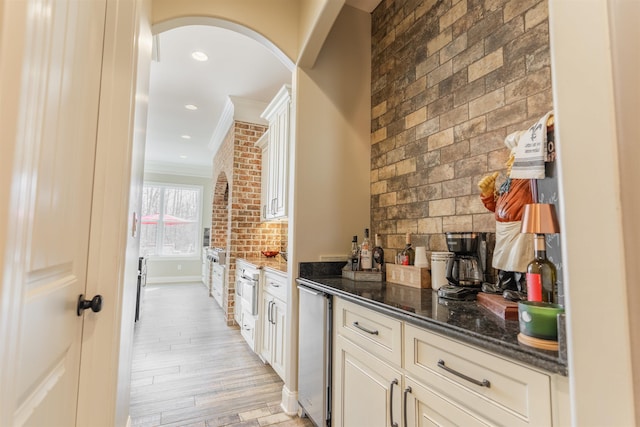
point(588, 128)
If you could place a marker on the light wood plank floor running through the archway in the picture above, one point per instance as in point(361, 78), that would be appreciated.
point(190, 369)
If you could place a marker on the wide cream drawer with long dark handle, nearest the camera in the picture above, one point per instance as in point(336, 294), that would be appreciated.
point(514, 394)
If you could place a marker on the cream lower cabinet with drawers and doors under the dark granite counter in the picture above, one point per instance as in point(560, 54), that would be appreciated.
point(438, 381)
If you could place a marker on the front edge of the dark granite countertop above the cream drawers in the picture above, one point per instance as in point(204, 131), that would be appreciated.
point(519, 354)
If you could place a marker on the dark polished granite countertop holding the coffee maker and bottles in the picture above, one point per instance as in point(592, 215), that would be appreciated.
point(468, 322)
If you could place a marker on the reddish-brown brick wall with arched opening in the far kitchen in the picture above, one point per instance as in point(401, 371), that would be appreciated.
point(240, 230)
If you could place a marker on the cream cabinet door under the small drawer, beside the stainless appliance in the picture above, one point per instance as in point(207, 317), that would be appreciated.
point(365, 388)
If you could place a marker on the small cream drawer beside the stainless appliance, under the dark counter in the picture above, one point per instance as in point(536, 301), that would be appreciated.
point(375, 332)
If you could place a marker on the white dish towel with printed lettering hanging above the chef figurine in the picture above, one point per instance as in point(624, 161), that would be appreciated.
point(531, 151)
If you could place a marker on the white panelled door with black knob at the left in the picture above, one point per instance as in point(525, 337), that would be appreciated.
point(50, 65)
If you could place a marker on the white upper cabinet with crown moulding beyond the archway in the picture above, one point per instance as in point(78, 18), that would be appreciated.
point(275, 156)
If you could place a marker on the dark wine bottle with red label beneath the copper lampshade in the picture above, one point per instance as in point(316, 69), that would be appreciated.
point(541, 274)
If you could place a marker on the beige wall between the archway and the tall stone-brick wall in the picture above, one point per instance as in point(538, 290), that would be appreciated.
point(330, 170)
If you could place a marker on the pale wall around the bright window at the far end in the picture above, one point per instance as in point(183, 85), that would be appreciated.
point(161, 270)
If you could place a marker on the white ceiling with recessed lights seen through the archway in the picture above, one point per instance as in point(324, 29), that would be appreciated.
point(238, 67)
